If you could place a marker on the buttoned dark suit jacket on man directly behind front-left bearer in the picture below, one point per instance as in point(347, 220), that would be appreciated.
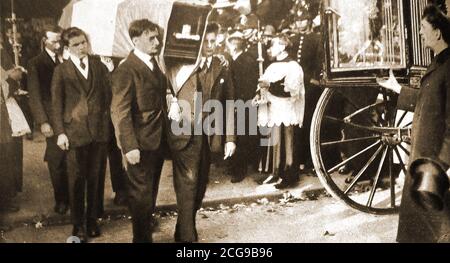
point(80, 112)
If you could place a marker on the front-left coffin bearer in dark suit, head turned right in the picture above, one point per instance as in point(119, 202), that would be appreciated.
point(139, 114)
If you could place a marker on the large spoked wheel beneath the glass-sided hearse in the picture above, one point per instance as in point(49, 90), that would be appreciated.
point(359, 145)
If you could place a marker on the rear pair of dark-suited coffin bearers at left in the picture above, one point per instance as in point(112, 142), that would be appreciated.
point(70, 101)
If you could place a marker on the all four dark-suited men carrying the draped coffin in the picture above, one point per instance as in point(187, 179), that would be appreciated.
point(74, 101)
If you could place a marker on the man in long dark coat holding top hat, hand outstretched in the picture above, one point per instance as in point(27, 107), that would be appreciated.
point(424, 217)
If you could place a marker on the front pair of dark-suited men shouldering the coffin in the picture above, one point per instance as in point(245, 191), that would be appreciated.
point(143, 129)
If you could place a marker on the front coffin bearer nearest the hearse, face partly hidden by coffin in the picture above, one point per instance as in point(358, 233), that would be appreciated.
point(191, 152)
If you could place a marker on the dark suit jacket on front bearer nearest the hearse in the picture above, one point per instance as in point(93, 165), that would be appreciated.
point(219, 87)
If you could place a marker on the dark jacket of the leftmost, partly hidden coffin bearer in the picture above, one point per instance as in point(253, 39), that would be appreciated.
point(40, 74)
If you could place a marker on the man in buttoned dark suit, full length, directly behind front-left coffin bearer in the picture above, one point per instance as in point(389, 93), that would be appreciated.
point(80, 105)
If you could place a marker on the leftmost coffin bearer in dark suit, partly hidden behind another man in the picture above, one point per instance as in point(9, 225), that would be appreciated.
point(40, 73)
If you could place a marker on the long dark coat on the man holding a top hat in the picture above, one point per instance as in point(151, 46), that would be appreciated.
point(430, 142)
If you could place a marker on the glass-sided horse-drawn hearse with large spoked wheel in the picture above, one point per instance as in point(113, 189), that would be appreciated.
point(360, 139)
